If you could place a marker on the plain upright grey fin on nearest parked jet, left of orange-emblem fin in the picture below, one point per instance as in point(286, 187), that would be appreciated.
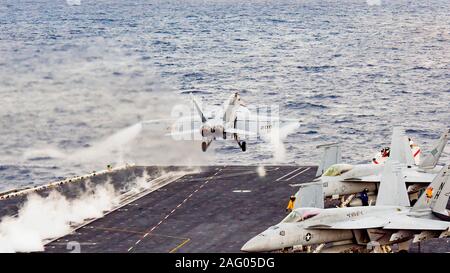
point(392, 190)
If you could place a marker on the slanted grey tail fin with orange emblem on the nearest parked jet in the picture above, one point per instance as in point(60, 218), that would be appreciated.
point(436, 195)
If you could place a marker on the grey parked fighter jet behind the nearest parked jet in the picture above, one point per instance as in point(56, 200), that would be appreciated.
point(340, 179)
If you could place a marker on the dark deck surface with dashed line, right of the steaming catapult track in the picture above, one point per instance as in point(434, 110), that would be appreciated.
point(215, 210)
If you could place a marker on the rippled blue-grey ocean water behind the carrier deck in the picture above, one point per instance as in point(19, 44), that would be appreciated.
point(76, 80)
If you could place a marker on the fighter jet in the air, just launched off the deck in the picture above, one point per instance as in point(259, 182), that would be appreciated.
point(233, 121)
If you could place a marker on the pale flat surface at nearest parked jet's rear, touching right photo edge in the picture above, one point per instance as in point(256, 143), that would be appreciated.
point(413, 223)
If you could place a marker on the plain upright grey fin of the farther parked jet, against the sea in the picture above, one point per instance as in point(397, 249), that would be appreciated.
point(400, 149)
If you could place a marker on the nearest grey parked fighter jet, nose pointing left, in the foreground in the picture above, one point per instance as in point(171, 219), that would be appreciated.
point(390, 221)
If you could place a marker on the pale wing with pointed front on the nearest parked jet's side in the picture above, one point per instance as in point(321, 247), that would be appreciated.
point(361, 223)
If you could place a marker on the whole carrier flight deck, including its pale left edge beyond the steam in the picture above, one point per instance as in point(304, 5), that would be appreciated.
point(180, 209)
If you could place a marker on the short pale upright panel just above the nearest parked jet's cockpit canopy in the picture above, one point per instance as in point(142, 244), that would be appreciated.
point(309, 195)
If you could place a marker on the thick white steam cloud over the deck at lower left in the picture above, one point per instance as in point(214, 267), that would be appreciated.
point(43, 218)
